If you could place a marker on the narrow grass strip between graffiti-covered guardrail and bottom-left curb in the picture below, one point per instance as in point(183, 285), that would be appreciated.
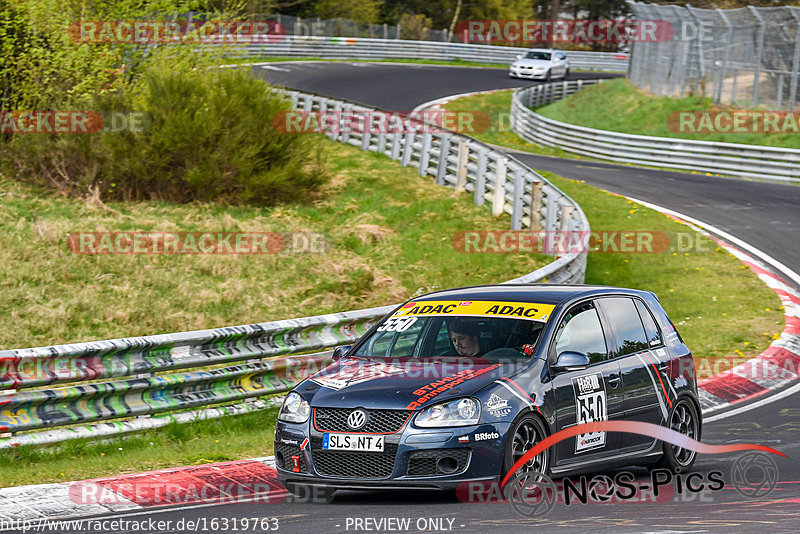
point(199, 442)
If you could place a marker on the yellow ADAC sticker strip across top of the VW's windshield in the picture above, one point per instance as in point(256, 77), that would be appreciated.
point(478, 308)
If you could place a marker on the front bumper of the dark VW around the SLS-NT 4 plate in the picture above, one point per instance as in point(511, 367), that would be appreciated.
point(412, 458)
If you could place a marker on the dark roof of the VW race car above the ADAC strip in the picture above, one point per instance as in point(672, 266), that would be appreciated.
point(540, 293)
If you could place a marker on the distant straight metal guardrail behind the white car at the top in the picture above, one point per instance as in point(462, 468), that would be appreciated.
point(365, 48)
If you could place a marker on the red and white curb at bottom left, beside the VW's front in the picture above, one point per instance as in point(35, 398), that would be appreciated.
point(253, 480)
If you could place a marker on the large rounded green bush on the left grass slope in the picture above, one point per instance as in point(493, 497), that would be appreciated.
point(209, 136)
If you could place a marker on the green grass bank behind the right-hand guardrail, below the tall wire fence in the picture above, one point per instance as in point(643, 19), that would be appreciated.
point(618, 106)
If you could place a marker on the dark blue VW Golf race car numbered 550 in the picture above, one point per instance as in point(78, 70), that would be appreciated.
point(456, 386)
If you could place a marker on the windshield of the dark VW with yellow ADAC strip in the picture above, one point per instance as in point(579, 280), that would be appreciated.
point(434, 330)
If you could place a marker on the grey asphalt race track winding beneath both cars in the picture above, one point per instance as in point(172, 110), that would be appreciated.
point(764, 215)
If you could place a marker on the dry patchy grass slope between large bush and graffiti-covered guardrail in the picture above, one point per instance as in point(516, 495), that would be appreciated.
point(374, 213)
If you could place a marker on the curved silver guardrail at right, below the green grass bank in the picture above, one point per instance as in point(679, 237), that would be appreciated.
point(751, 161)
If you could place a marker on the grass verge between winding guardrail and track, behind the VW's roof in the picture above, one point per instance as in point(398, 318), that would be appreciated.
point(721, 308)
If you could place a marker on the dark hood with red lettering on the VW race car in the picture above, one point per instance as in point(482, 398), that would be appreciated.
point(407, 384)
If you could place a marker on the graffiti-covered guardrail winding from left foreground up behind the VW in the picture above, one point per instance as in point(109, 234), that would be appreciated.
point(259, 359)
